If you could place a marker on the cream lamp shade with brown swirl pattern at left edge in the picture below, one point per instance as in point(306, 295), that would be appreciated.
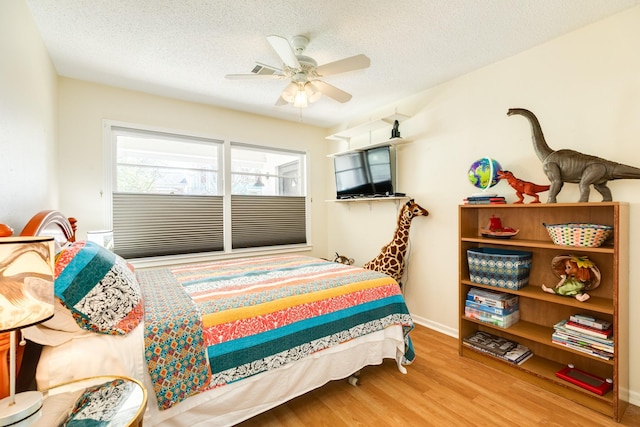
point(26, 281)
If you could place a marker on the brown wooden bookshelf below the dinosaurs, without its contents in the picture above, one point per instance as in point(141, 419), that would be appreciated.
point(539, 310)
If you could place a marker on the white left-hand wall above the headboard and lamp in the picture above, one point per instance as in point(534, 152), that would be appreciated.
point(28, 116)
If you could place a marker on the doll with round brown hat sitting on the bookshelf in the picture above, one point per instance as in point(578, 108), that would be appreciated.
point(578, 274)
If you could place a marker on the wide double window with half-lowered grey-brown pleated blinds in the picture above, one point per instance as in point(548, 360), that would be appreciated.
point(171, 193)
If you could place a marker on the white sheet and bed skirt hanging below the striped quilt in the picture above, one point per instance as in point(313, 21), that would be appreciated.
point(223, 406)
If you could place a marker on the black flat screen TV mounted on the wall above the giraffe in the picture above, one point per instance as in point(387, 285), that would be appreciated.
point(366, 173)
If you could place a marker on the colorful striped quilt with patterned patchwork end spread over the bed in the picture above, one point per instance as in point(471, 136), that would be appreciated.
point(258, 314)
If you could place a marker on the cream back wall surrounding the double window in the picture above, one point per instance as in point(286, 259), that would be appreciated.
point(84, 106)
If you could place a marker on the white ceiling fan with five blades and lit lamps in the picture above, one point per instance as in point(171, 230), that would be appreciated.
point(303, 72)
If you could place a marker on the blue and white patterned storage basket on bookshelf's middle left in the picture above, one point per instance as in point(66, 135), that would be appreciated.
point(502, 268)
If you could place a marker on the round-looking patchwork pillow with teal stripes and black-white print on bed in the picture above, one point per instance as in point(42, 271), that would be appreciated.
point(98, 288)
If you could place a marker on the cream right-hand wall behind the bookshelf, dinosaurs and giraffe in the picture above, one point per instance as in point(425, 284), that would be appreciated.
point(585, 90)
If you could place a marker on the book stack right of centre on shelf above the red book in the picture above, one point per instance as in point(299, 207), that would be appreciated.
point(585, 334)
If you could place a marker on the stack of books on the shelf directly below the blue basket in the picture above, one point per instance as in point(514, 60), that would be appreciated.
point(493, 307)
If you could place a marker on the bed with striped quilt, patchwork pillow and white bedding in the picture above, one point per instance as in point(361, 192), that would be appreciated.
point(215, 343)
